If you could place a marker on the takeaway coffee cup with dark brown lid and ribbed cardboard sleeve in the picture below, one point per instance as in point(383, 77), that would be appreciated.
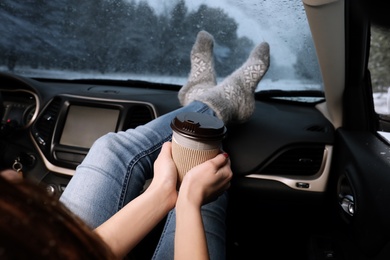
point(196, 137)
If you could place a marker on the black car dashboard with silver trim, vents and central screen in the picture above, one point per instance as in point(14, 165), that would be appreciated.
point(56, 122)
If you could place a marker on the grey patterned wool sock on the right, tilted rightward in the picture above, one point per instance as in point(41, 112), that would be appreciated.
point(233, 99)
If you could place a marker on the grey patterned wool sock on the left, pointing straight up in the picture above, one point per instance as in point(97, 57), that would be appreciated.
point(202, 75)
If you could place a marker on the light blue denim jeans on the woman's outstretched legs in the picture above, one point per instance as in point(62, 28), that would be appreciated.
point(115, 170)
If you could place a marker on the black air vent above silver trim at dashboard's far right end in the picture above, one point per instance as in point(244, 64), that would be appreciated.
point(300, 161)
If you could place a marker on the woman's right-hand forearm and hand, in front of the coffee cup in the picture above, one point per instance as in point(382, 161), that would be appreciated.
point(200, 185)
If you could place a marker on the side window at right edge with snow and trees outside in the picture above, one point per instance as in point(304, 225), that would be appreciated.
point(379, 66)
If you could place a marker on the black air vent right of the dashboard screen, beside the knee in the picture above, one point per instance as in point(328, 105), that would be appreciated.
point(138, 115)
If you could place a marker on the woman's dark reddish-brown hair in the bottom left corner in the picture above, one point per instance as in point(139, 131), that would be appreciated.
point(34, 225)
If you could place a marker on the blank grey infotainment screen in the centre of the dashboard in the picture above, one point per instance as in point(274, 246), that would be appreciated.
point(85, 124)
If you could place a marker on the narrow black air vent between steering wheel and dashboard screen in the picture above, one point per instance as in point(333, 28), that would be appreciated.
point(44, 126)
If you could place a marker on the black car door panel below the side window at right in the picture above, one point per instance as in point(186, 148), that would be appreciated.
point(361, 164)
